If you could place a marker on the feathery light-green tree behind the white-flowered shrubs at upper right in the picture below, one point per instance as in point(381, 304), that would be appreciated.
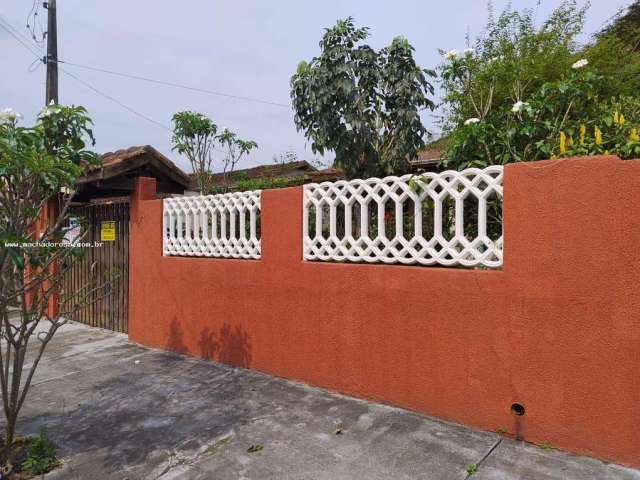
point(510, 60)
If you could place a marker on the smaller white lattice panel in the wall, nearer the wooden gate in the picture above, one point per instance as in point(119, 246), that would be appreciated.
point(226, 225)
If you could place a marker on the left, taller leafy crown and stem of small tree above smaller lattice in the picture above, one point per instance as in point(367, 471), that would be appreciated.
point(194, 136)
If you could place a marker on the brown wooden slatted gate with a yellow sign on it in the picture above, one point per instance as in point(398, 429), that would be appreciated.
point(106, 262)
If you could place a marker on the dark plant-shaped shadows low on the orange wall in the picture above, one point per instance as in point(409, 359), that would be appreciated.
point(230, 345)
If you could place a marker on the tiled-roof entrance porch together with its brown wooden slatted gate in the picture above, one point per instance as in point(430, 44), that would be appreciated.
point(101, 203)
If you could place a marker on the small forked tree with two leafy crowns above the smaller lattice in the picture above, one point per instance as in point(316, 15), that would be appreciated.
point(196, 136)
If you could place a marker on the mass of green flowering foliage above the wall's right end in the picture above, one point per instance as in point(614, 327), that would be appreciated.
point(526, 92)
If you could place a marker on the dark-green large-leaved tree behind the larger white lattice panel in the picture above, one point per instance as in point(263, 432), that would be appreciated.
point(362, 104)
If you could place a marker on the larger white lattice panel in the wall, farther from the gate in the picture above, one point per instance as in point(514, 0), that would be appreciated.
point(448, 218)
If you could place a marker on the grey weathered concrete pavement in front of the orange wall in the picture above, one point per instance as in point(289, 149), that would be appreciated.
point(120, 411)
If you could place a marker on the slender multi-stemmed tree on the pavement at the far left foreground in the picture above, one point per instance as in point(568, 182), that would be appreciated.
point(38, 165)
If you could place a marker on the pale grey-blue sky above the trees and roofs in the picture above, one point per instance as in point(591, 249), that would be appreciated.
point(246, 48)
